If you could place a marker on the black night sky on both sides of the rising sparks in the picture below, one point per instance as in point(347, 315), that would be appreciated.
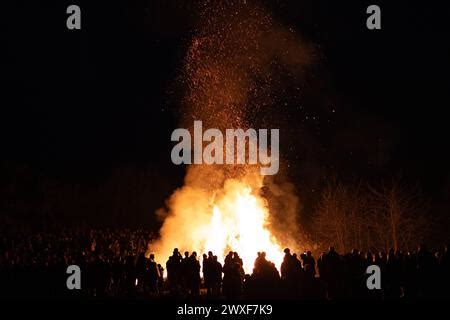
point(78, 105)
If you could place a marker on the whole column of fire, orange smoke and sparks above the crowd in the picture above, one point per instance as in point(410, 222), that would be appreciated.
point(231, 72)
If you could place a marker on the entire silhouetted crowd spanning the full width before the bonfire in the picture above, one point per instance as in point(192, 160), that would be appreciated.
point(119, 263)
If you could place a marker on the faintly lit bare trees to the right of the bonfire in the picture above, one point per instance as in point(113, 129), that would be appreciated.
point(390, 216)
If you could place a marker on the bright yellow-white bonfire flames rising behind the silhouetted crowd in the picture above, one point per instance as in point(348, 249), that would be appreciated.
point(219, 216)
